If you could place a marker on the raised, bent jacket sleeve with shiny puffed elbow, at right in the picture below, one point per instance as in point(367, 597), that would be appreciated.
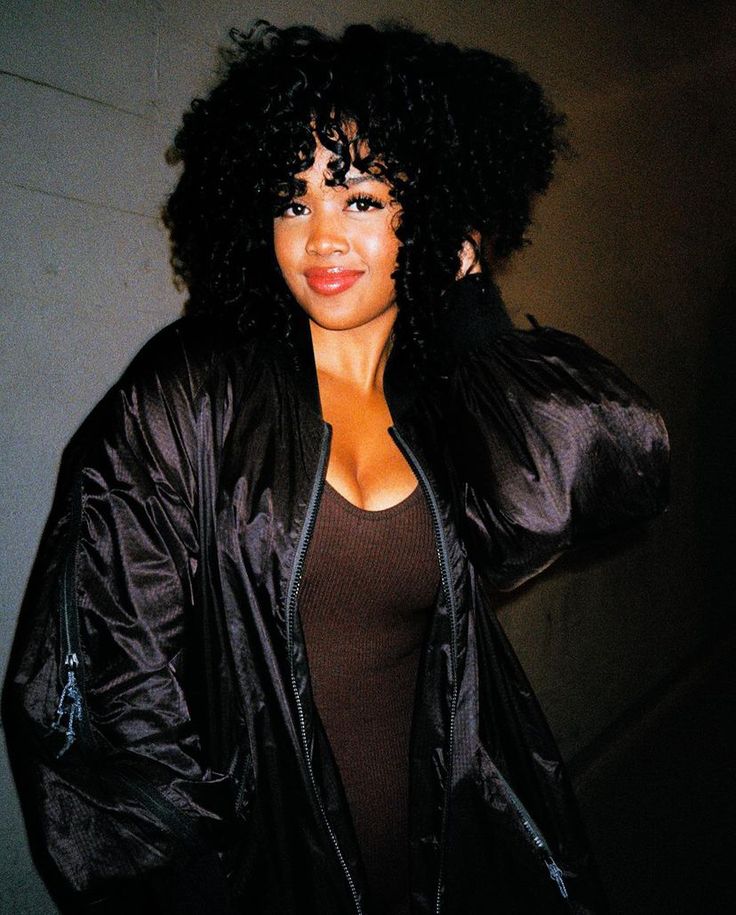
point(557, 445)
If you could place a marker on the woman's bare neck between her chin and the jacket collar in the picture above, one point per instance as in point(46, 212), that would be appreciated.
point(356, 356)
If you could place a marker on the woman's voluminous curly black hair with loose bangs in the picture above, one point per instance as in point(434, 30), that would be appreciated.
point(464, 138)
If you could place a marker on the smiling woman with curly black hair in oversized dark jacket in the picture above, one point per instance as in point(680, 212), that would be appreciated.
point(258, 668)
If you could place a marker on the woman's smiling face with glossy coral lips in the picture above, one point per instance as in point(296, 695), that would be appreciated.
point(337, 248)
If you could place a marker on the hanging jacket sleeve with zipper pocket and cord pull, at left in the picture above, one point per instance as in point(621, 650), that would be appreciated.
point(118, 800)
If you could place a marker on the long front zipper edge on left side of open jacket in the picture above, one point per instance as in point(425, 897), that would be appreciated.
point(291, 602)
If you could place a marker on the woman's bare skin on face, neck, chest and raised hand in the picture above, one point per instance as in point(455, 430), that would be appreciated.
point(351, 331)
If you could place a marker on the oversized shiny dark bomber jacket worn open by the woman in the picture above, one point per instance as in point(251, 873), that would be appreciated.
point(166, 746)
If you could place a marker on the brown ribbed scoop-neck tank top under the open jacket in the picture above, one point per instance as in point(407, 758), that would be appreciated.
point(369, 581)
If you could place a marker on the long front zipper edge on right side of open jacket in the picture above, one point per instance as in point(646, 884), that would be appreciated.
point(442, 555)
